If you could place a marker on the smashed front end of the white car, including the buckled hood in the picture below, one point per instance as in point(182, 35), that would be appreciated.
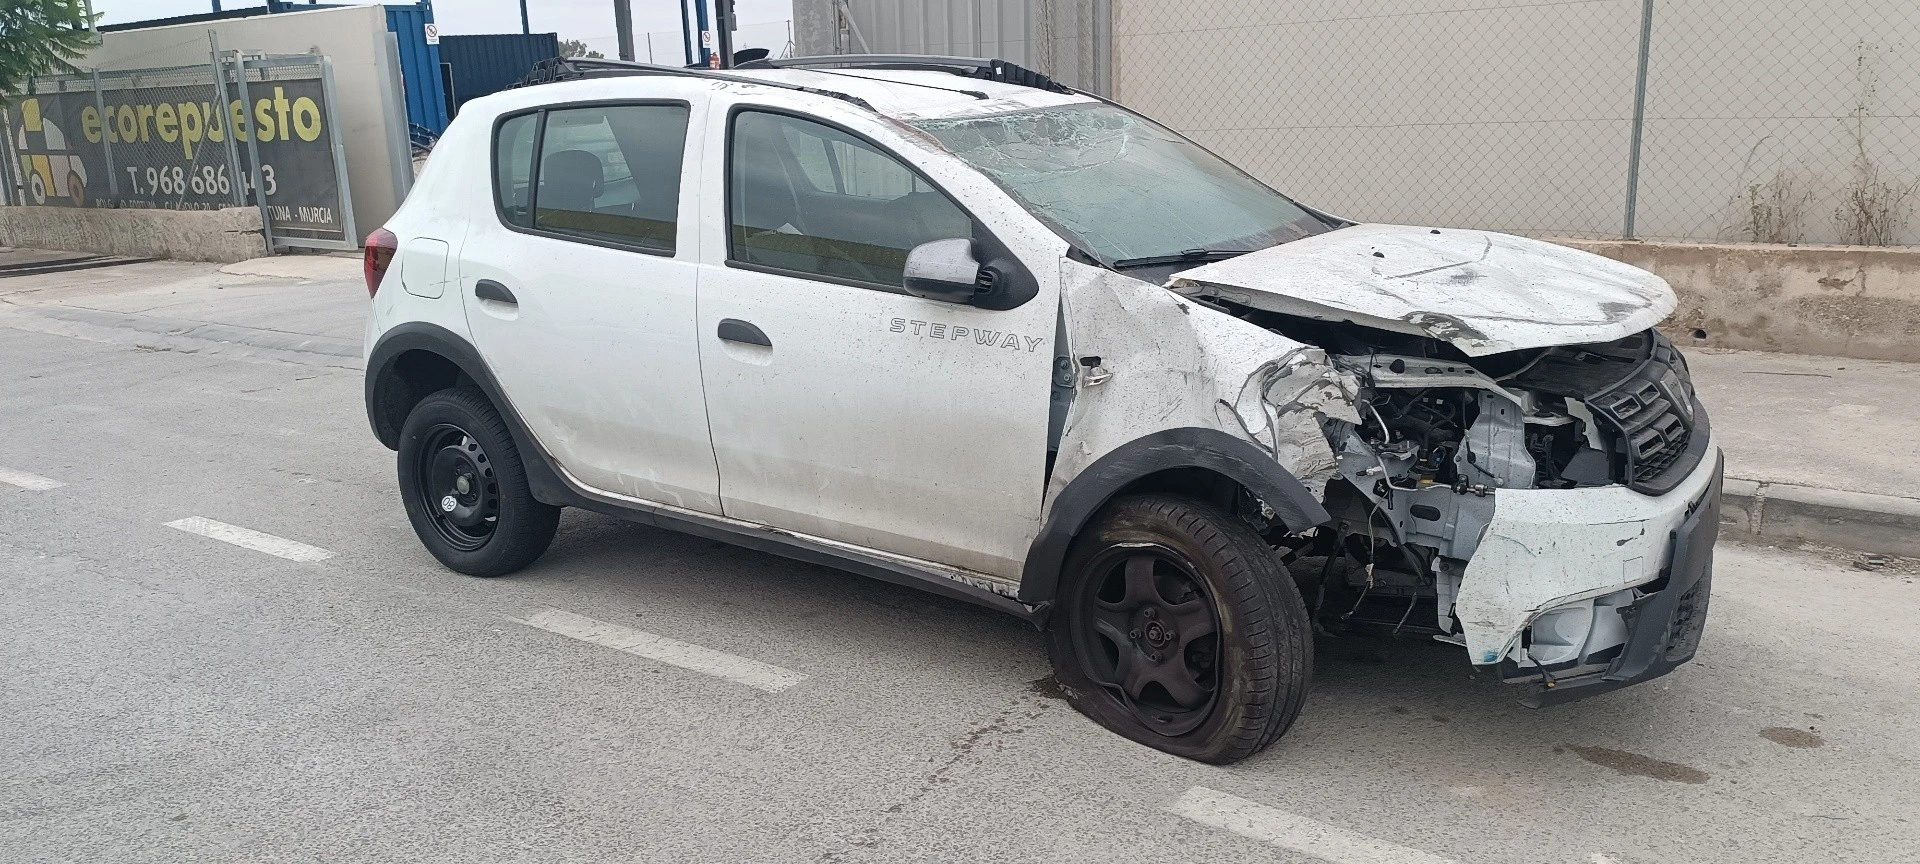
point(1527, 471)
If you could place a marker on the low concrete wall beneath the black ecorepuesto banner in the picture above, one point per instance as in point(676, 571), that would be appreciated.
point(193, 235)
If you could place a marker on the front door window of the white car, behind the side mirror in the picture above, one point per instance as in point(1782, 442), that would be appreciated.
point(815, 201)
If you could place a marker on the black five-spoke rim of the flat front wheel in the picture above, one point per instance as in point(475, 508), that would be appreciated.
point(1147, 633)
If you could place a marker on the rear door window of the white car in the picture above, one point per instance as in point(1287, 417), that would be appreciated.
point(613, 174)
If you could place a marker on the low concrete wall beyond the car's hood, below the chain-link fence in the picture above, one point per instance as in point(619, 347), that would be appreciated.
point(1833, 300)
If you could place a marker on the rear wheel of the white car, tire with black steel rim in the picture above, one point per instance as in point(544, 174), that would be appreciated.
point(466, 489)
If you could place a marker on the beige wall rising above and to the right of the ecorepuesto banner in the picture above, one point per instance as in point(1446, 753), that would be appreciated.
point(366, 82)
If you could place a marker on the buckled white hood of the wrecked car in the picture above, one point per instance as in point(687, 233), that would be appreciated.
point(1479, 291)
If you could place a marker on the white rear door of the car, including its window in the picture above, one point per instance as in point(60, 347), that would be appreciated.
point(581, 295)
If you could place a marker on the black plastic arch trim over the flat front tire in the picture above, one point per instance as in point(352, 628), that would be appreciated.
point(1174, 448)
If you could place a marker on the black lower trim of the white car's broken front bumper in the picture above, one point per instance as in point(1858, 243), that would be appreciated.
point(1664, 625)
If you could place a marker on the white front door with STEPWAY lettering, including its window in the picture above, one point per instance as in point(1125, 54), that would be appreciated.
point(842, 406)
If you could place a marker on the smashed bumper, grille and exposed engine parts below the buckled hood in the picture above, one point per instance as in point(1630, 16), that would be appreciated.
point(1556, 508)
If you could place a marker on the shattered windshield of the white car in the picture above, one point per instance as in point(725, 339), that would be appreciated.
point(1122, 187)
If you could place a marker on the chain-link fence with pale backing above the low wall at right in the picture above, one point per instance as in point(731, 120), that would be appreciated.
point(1689, 120)
